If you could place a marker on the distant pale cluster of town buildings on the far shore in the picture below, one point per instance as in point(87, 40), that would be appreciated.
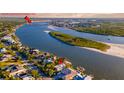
point(71, 23)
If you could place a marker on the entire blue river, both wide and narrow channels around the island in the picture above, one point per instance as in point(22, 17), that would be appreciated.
point(100, 65)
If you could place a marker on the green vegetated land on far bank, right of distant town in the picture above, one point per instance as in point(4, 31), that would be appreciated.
point(113, 29)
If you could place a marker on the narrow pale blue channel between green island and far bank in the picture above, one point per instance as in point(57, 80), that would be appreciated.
point(103, 38)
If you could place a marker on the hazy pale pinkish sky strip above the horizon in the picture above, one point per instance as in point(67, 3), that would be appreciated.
point(64, 15)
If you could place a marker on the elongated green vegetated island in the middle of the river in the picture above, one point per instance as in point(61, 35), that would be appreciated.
point(77, 41)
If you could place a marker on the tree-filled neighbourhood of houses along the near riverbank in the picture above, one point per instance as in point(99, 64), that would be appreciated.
point(20, 62)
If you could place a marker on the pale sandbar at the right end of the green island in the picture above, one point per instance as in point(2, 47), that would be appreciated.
point(115, 50)
